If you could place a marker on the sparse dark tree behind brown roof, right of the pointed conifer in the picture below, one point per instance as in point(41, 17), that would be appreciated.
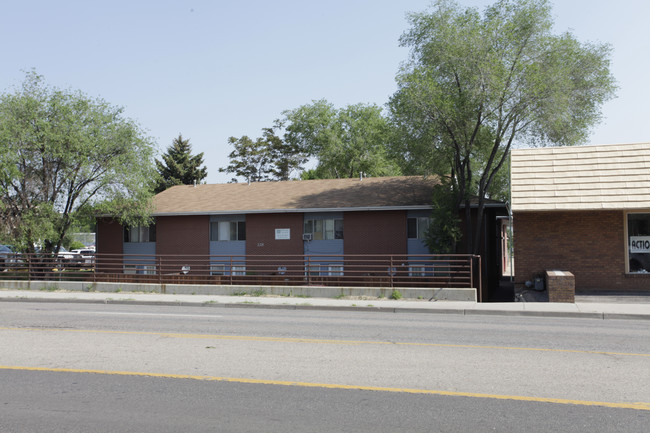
point(269, 157)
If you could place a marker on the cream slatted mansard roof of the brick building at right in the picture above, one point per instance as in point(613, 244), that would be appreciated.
point(614, 176)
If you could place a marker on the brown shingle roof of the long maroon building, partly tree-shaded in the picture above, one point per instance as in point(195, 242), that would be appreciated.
point(298, 195)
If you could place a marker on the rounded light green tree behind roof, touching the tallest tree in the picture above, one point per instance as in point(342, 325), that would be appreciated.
point(344, 141)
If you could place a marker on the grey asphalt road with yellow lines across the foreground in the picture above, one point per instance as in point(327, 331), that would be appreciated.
point(87, 367)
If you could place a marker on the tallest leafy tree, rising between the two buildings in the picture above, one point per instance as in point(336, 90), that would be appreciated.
point(477, 84)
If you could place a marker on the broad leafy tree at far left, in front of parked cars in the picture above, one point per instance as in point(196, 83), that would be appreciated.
point(63, 153)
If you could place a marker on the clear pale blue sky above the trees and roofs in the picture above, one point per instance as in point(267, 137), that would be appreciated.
point(215, 69)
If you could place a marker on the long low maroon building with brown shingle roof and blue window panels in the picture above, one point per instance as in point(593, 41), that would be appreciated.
point(318, 218)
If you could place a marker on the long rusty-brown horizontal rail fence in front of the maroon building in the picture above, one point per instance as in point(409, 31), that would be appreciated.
point(430, 271)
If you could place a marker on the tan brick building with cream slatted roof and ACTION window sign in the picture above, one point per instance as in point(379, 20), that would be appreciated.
point(586, 210)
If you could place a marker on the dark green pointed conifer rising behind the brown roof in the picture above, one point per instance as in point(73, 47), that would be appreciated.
point(179, 166)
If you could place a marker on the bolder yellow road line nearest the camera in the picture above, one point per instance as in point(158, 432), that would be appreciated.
point(617, 405)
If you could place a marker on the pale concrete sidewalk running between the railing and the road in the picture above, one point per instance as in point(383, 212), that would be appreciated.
point(595, 307)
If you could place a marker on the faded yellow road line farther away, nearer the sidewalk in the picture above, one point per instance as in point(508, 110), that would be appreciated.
point(318, 341)
